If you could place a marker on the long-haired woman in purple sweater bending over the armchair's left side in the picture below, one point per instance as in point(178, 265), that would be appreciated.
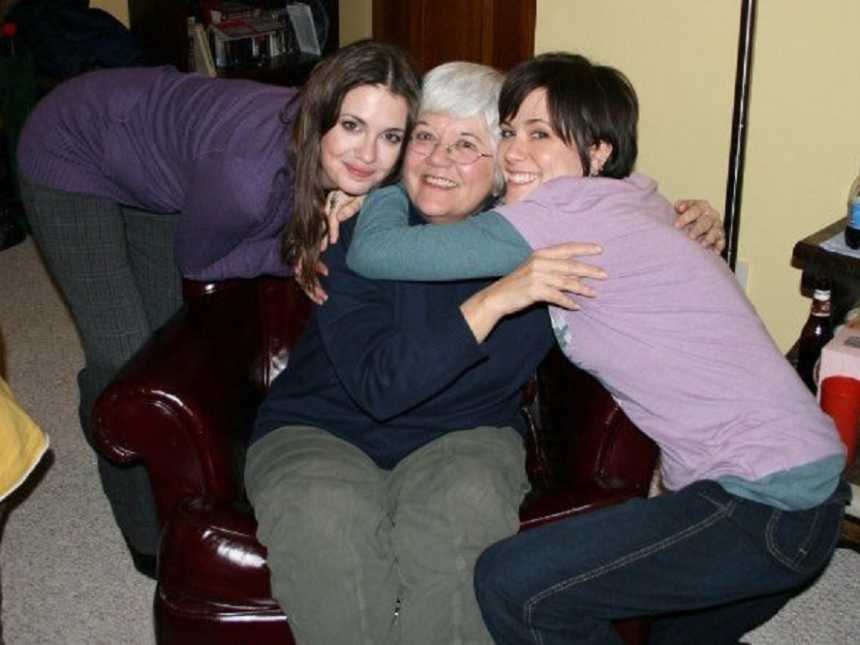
point(135, 178)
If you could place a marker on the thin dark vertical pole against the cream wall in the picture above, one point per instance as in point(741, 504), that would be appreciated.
point(734, 182)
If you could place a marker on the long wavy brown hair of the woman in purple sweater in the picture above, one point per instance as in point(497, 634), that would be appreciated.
point(362, 63)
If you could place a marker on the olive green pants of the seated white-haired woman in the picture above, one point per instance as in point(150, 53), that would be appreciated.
point(362, 555)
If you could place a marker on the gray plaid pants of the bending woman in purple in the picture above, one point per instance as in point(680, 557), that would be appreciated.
point(115, 268)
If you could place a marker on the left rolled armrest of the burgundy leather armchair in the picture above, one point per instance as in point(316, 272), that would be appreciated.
point(184, 402)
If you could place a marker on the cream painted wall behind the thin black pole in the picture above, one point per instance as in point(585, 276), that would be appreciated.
point(803, 145)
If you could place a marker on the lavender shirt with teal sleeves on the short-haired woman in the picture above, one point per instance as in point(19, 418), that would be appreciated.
point(671, 334)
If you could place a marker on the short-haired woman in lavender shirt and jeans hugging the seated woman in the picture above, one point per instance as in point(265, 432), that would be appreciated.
point(751, 463)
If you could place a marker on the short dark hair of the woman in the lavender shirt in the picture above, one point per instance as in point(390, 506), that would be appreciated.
point(587, 104)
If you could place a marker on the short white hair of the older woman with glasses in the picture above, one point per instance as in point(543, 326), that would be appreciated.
point(465, 90)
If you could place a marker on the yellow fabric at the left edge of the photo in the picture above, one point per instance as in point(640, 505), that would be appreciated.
point(22, 442)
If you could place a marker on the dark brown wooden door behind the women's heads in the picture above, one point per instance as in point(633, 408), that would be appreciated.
point(494, 32)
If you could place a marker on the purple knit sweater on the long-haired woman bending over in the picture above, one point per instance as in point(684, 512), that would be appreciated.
point(212, 152)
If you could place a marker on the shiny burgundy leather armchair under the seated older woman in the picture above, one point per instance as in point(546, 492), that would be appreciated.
point(184, 406)
